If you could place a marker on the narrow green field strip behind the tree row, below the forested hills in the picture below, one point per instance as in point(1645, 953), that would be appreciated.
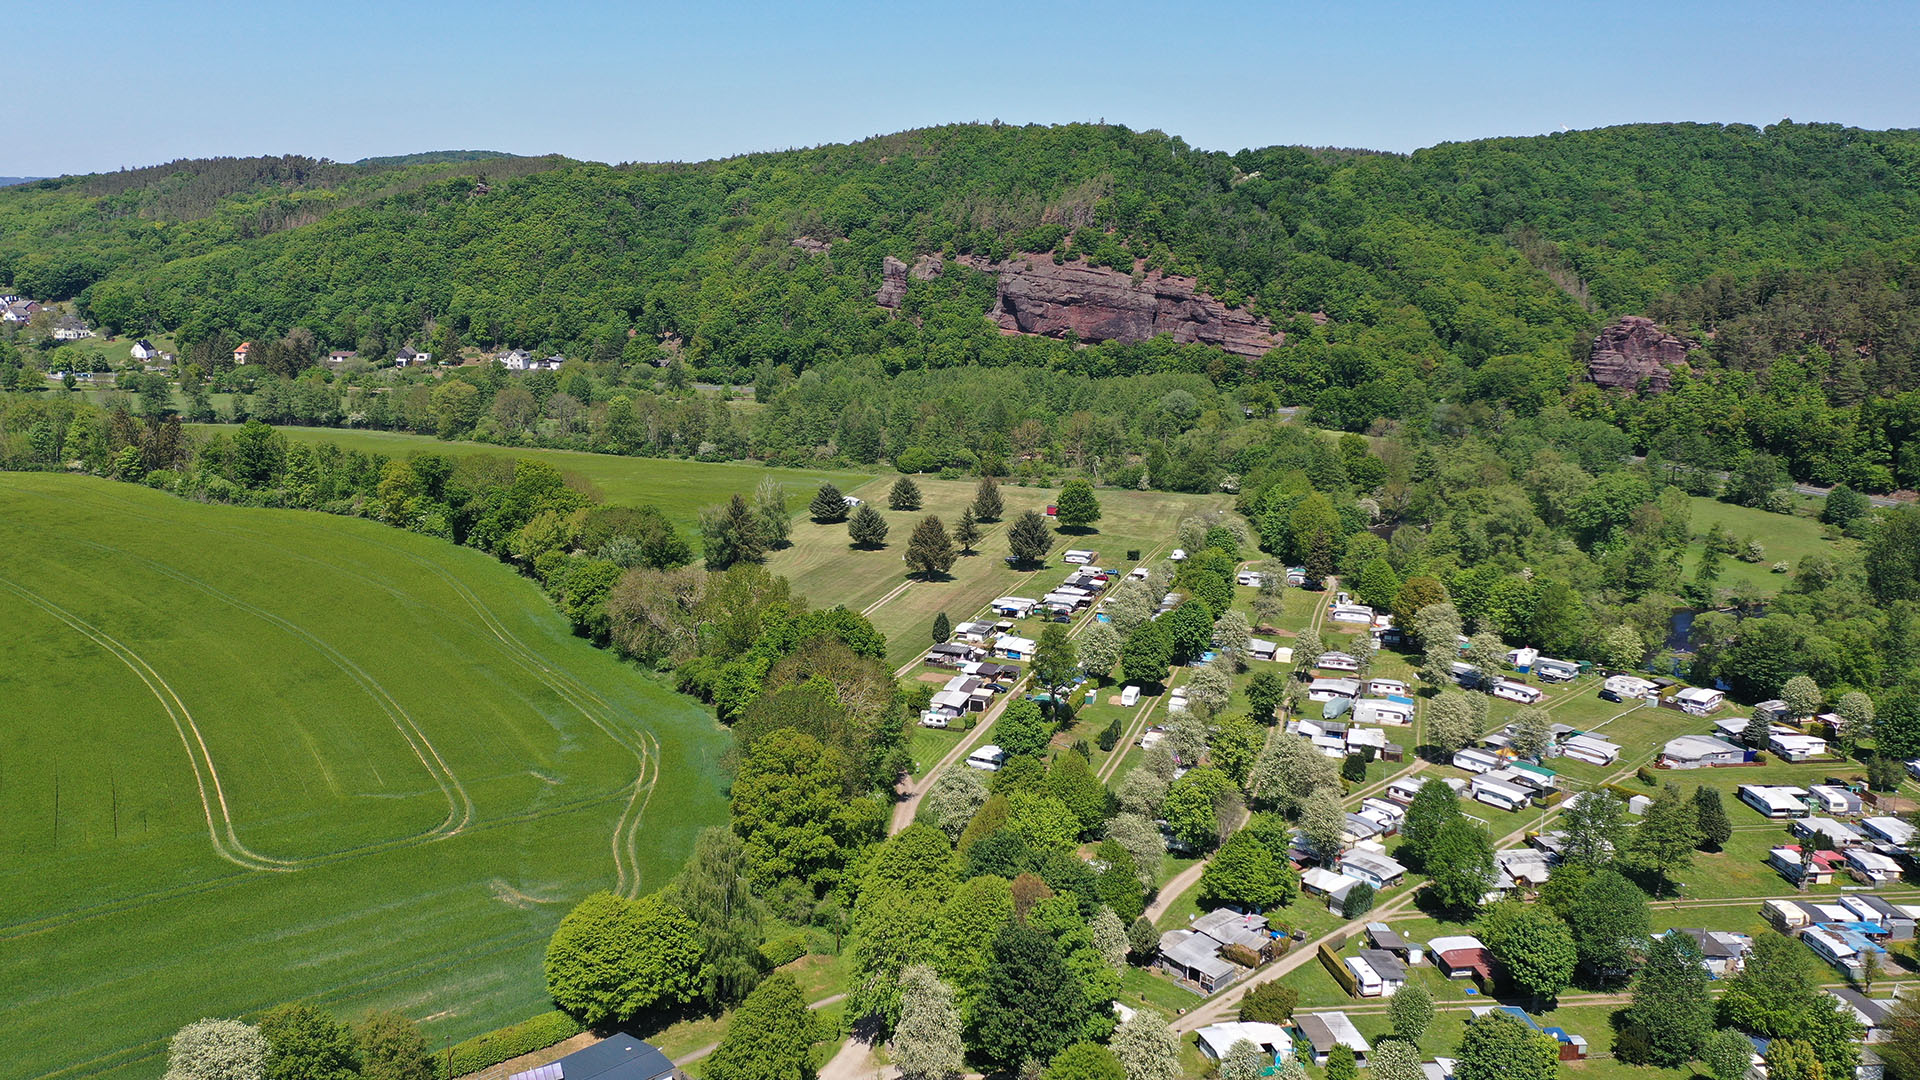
point(681, 489)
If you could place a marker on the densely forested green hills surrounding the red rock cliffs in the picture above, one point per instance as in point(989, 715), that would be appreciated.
point(1470, 274)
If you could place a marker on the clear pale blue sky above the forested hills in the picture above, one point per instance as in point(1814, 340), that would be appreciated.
point(110, 84)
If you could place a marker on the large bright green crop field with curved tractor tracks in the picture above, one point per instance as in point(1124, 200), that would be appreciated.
point(262, 756)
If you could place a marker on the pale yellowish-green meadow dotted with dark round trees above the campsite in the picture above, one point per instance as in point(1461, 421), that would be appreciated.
point(827, 570)
